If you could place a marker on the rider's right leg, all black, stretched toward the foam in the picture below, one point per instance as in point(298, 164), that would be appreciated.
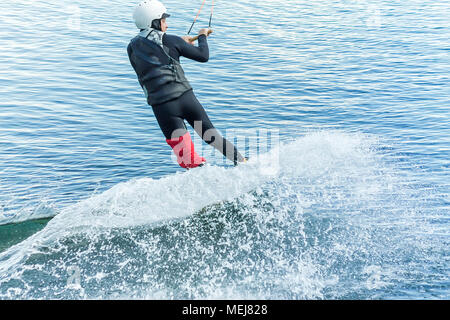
point(195, 114)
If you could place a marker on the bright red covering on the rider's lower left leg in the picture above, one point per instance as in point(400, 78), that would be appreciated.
point(183, 147)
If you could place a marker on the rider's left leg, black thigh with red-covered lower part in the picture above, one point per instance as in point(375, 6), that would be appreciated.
point(177, 137)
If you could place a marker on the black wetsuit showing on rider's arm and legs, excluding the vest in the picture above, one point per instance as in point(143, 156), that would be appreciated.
point(171, 114)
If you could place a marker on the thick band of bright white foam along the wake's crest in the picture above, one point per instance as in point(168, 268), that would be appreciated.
point(146, 201)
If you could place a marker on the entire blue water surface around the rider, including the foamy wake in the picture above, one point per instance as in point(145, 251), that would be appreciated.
point(356, 205)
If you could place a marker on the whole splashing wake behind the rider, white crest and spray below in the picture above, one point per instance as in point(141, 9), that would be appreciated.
point(323, 216)
